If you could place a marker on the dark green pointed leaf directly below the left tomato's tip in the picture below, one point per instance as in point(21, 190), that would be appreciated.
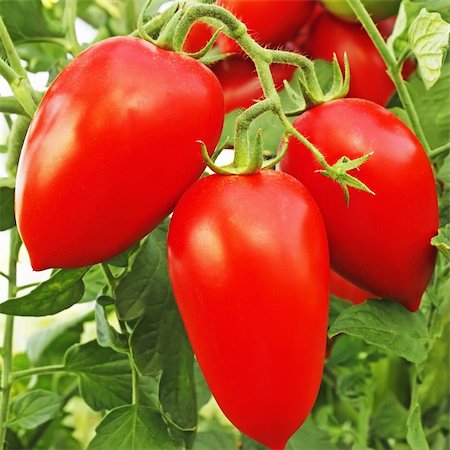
point(60, 292)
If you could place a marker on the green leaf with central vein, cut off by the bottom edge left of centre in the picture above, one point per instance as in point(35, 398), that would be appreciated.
point(132, 428)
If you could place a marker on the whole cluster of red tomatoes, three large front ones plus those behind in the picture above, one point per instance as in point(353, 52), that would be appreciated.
point(112, 151)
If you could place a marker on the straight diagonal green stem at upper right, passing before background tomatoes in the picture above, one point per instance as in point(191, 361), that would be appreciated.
point(394, 70)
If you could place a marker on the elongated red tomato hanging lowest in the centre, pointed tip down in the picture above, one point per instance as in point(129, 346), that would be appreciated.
point(248, 261)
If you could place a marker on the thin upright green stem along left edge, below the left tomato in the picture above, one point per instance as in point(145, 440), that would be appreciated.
point(7, 350)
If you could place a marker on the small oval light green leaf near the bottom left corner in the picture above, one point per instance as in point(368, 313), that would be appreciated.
point(34, 408)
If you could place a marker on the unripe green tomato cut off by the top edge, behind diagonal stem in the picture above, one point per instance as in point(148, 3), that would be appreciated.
point(378, 9)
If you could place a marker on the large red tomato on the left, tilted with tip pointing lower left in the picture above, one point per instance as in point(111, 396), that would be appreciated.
point(111, 149)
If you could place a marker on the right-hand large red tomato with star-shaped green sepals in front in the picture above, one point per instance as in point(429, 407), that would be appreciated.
point(379, 242)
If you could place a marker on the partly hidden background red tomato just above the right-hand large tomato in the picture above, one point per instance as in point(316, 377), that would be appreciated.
point(368, 76)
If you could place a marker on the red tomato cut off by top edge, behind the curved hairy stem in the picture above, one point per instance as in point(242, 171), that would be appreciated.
point(270, 22)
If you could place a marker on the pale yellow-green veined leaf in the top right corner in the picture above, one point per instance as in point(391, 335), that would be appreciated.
point(428, 38)
